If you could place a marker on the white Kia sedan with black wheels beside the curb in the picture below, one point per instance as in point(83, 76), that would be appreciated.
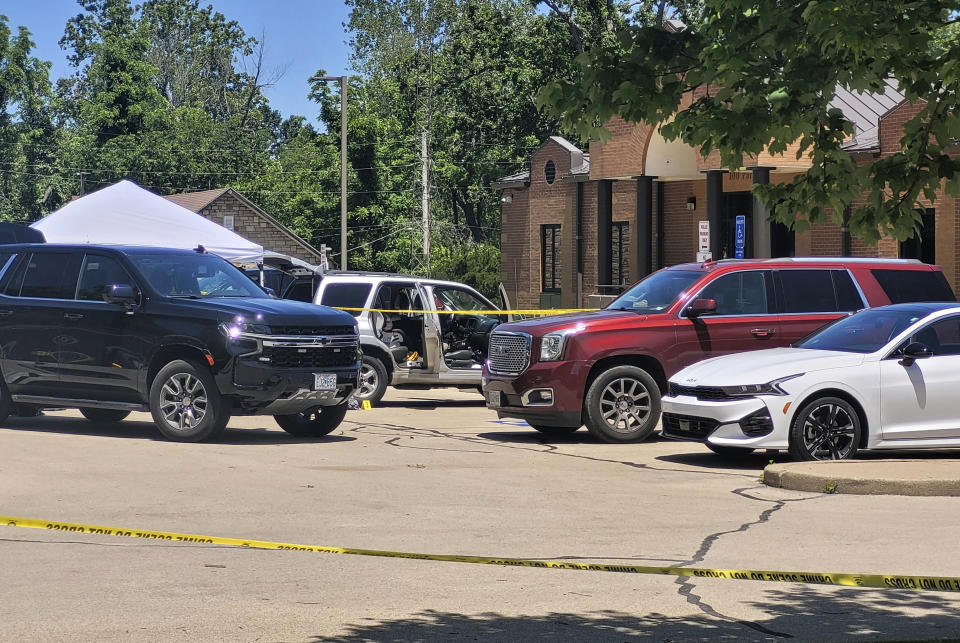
point(884, 378)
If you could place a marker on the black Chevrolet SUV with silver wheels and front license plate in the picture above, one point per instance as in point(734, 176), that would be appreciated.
point(185, 334)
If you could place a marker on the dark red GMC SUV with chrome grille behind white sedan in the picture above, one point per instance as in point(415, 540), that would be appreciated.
point(607, 369)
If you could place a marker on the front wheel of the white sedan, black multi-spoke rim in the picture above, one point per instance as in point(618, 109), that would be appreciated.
point(826, 428)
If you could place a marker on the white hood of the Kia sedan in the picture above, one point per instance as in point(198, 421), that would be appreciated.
point(760, 367)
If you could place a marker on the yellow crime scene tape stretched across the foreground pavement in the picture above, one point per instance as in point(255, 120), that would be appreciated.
point(885, 581)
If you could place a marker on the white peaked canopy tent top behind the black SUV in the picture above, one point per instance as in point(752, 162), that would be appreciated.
point(126, 214)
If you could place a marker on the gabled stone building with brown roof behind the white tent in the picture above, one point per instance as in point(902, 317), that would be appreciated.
point(235, 212)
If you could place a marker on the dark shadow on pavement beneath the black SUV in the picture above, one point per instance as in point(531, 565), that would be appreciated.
point(131, 429)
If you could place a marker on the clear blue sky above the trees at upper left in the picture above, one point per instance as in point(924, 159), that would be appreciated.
point(301, 35)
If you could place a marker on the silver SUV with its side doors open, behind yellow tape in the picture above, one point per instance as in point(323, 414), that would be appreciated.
point(423, 346)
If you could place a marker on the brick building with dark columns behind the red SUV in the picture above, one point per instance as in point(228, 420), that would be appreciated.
point(577, 227)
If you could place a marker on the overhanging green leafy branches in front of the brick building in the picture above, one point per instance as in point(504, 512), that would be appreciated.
point(768, 71)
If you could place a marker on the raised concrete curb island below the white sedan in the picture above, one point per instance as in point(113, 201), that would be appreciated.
point(868, 477)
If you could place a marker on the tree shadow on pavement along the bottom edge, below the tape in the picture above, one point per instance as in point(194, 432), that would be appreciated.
point(797, 612)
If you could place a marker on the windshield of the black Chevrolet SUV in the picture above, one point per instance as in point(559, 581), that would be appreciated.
point(198, 276)
